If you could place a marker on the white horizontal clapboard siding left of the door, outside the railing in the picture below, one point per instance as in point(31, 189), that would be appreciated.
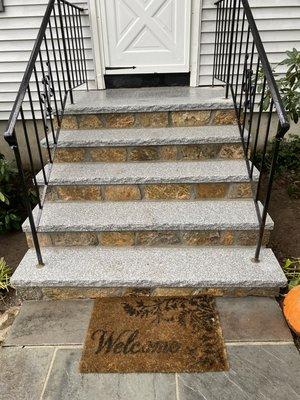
point(19, 26)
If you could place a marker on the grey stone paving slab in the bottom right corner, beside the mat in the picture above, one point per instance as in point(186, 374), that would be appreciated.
point(268, 372)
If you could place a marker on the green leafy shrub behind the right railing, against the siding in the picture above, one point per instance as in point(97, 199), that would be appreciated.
point(289, 85)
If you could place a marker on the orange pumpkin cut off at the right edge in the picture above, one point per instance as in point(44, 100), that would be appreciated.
point(291, 309)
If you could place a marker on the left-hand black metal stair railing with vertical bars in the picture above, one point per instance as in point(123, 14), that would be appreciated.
point(57, 65)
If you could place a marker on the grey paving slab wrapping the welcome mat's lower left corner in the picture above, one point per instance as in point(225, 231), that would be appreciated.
point(66, 383)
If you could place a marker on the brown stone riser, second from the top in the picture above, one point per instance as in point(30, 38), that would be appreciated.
point(192, 152)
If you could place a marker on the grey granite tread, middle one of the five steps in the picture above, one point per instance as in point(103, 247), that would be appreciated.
point(148, 172)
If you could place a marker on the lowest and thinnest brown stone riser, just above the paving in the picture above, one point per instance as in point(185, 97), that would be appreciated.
point(68, 293)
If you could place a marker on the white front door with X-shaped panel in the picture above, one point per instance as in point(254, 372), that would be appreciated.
point(147, 36)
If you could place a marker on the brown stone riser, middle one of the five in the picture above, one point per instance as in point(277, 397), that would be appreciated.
point(167, 191)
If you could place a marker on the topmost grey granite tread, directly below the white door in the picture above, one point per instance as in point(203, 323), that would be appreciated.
point(148, 100)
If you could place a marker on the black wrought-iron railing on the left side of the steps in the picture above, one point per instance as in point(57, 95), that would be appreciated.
point(44, 93)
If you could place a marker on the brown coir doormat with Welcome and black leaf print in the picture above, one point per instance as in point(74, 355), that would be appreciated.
point(146, 334)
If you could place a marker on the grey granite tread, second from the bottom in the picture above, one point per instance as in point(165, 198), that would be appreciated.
point(151, 215)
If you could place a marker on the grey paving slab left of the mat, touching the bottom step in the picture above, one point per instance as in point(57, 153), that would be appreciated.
point(50, 323)
